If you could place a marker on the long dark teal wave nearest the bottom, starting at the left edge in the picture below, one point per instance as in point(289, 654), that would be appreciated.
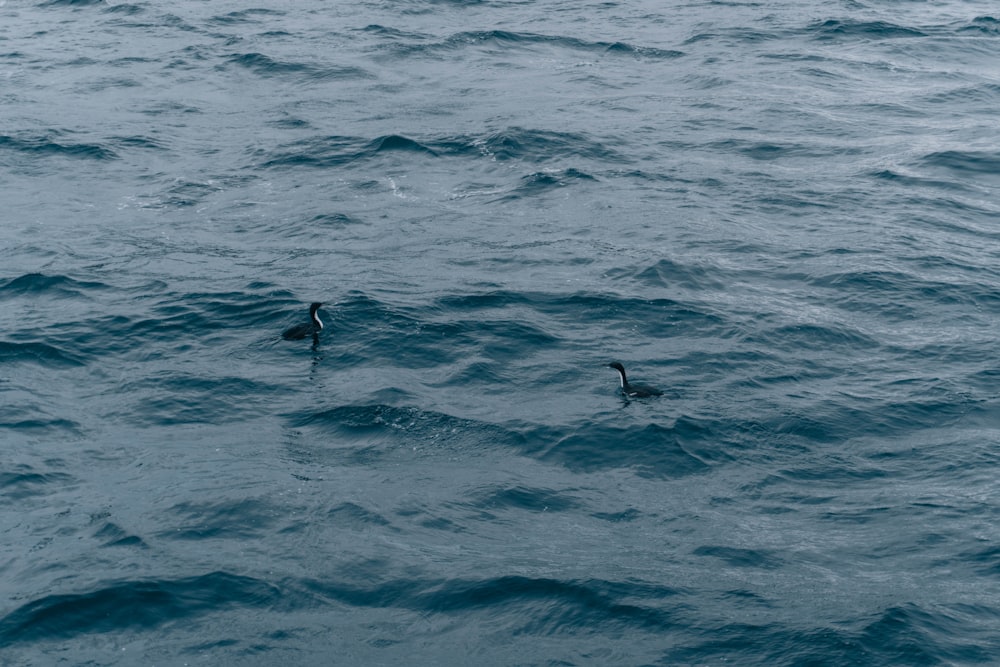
point(542, 606)
